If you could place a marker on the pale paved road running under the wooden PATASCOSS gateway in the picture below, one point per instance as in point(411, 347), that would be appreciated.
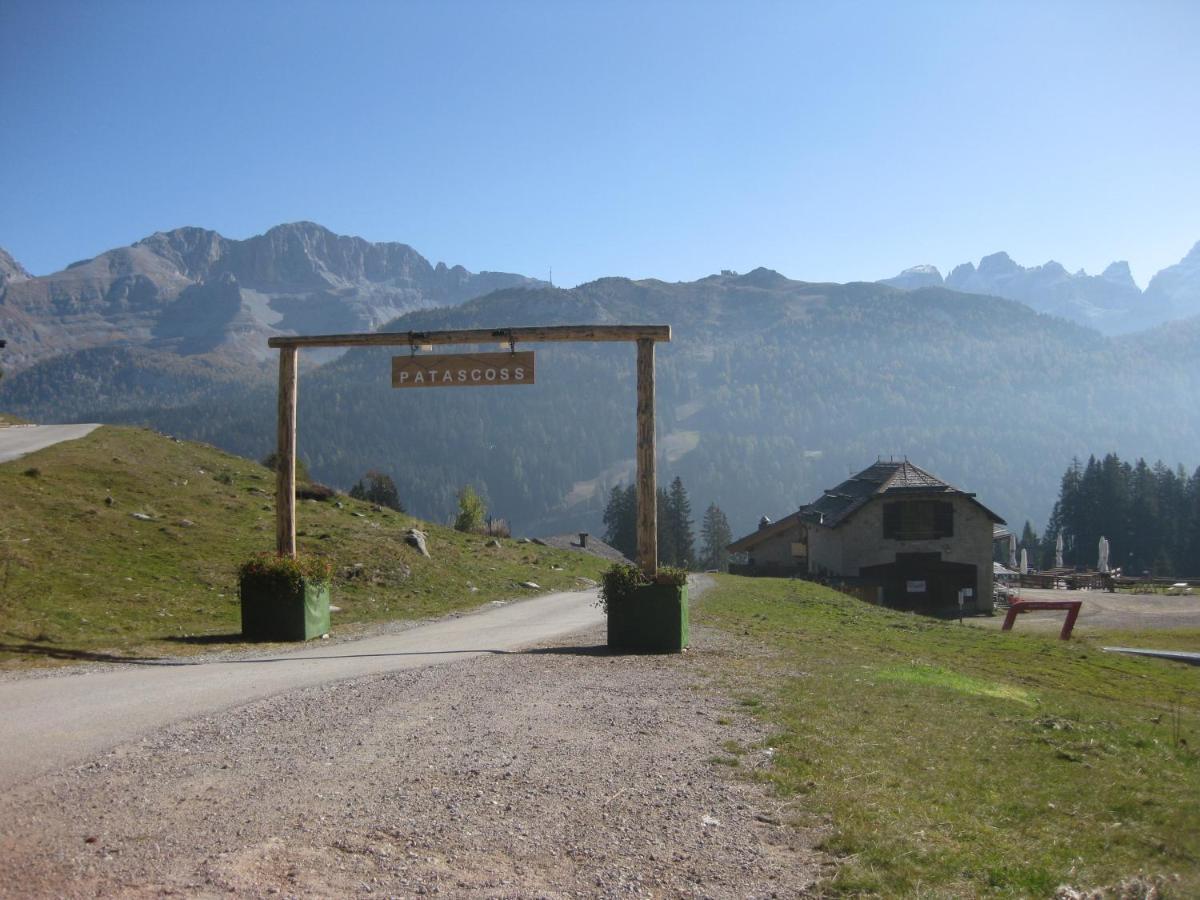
point(55, 722)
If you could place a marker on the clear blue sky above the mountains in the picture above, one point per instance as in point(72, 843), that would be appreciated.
point(827, 141)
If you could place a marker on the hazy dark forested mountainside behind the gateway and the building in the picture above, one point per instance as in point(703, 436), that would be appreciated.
point(771, 392)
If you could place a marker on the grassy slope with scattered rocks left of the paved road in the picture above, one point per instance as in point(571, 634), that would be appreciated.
point(85, 578)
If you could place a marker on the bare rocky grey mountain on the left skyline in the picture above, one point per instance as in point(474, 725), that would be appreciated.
point(193, 292)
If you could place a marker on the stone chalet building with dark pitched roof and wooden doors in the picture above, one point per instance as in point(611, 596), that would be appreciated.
point(897, 533)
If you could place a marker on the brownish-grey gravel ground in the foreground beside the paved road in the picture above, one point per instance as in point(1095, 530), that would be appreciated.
point(556, 772)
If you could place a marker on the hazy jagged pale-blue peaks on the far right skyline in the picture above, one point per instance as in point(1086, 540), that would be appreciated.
point(1111, 303)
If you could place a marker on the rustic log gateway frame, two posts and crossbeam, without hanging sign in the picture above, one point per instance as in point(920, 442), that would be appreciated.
point(645, 337)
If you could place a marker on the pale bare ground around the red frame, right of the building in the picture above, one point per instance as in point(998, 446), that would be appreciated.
point(1106, 611)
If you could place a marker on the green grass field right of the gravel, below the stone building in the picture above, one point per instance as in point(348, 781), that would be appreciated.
point(956, 761)
